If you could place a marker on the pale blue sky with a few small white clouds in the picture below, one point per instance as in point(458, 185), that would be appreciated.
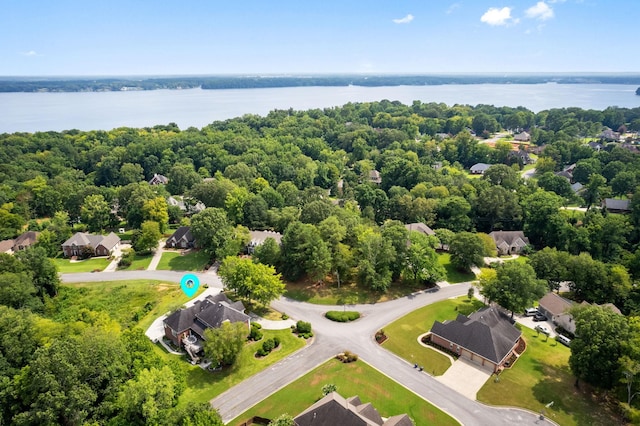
point(161, 37)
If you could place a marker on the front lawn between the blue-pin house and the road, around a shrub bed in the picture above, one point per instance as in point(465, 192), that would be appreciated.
point(204, 385)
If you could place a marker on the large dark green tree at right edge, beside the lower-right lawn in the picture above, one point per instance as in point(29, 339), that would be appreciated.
point(600, 343)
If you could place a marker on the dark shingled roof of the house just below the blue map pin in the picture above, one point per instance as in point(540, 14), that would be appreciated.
point(208, 313)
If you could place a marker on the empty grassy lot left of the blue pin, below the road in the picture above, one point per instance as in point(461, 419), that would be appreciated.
point(127, 302)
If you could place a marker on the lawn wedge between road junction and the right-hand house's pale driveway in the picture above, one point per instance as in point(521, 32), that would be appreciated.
point(403, 333)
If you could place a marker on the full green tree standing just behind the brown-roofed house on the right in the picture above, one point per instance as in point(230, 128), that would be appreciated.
point(515, 286)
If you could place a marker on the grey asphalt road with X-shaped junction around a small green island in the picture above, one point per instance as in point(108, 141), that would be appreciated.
point(332, 338)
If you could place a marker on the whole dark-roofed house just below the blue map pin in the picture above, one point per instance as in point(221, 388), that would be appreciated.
point(188, 325)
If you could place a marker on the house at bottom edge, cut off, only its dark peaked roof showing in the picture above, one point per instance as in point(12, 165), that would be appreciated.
point(333, 410)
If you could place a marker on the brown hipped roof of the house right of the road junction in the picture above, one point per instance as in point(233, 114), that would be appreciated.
point(486, 332)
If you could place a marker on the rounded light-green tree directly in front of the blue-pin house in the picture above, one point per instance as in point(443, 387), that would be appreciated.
point(223, 344)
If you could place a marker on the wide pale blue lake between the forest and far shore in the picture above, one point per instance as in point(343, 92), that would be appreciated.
point(31, 112)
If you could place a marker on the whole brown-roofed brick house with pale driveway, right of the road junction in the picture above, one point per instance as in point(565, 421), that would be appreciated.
point(487, 337)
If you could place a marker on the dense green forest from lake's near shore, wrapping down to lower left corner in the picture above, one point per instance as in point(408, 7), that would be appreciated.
point(339, 183)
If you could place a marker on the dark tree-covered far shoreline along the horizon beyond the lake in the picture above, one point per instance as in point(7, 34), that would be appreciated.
point(114, 84)
